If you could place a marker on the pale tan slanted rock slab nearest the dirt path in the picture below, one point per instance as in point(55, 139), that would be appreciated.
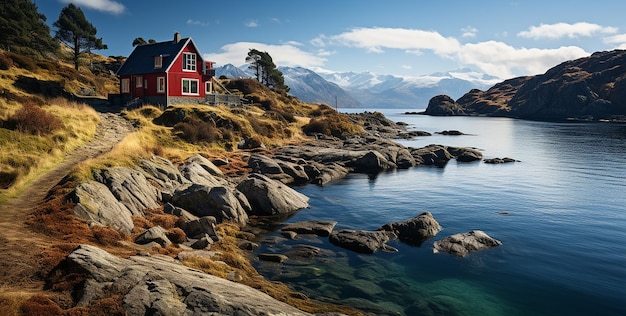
point(94, 202)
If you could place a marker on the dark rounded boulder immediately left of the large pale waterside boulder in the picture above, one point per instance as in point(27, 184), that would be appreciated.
point(219, 202)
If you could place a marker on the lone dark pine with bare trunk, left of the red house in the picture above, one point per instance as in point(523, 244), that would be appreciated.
point(74, 30)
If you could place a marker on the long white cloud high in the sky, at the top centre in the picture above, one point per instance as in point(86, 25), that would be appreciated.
point(375, 40)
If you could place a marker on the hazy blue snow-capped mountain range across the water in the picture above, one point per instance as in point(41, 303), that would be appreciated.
point(370, 90)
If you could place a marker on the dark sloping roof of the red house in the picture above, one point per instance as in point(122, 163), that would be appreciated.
point(141, 60)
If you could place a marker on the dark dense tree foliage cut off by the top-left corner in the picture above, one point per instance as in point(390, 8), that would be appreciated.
point(23, 29)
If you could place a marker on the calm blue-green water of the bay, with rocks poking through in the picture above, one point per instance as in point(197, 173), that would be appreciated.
point(564, 235)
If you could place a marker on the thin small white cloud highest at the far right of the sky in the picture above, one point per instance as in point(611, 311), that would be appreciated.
point(561, 30)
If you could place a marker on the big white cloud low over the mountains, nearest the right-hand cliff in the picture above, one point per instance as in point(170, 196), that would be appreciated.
point(505, 61)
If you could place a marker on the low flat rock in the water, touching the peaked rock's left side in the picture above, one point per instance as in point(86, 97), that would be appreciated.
point(362, 241)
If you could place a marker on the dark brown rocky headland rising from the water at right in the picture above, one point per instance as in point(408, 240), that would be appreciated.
point(593, 88)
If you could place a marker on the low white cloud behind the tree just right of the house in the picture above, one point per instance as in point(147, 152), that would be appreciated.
point(282, 55)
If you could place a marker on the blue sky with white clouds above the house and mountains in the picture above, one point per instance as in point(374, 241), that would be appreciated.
point(404, 38)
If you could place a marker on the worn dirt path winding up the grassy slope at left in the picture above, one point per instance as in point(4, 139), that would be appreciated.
point(20, 245)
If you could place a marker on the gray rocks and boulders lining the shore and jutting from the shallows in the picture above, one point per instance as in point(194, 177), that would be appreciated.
point(201, 196)
